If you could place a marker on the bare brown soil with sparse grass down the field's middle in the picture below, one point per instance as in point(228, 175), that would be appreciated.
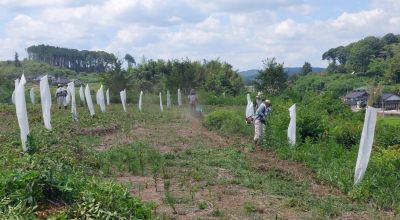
point(217, 192)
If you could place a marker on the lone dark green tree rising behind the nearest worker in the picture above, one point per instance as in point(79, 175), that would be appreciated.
point(272, 78)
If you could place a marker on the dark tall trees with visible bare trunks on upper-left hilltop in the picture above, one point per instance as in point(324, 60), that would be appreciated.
point(76, 60)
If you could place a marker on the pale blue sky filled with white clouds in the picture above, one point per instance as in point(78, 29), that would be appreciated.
point(240, 32)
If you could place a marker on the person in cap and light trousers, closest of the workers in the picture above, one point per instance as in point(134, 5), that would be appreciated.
point(260, 117)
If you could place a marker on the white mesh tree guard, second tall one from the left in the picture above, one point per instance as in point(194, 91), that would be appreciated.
point(45, 99)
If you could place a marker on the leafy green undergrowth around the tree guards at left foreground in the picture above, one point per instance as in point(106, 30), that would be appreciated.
point(63, 176)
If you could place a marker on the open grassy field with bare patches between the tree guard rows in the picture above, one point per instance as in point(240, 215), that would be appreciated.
point(166, 162)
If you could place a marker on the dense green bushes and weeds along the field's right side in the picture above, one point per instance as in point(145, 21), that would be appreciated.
point(328, 135)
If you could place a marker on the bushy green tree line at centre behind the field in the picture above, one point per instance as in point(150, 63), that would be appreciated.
point(161, 75)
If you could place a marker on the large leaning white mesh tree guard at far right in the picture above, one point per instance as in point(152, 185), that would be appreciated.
point(367, 139)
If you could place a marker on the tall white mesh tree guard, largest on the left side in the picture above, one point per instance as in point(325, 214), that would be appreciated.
point(22, 115)
